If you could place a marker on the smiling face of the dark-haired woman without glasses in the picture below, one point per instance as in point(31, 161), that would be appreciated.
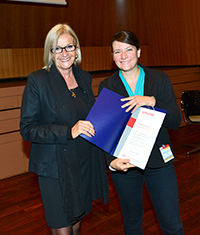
point(125, 55)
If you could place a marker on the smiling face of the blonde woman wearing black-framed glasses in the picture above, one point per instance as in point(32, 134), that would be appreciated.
point(65, 60)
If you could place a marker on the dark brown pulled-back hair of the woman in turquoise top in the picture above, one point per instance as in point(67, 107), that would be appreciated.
point(126, 36)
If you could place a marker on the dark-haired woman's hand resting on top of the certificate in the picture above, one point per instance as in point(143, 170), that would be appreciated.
point(136, 101)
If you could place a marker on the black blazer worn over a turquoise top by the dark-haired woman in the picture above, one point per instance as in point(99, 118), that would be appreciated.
point(157, 84)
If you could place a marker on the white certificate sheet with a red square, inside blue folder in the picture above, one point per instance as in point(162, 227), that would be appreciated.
point(138, 138)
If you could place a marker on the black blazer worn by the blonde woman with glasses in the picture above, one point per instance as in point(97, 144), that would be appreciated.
point(45, 96)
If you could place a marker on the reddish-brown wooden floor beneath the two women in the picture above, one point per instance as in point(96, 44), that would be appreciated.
point(21, 210)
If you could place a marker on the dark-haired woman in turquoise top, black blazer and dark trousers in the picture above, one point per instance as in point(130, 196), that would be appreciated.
point(143, 86)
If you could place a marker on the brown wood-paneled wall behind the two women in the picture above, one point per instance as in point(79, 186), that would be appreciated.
point(168, 31)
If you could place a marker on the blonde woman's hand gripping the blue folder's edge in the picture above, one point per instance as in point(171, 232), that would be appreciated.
point(82, 127)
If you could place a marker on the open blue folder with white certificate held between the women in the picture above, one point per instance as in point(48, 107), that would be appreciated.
point(121, 134)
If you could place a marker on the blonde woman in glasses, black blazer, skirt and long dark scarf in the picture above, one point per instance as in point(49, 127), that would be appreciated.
point(55, 102)
